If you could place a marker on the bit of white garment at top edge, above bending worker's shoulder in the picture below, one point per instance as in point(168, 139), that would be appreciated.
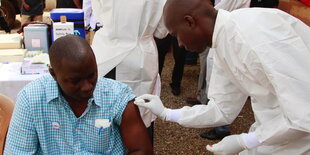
point(230, 5)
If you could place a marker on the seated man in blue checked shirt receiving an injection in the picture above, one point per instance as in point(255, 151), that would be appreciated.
point(73, 111)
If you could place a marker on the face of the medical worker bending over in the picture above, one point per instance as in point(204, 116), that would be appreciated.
point(190, 37)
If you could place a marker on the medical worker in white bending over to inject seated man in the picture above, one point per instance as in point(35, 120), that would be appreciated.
point(261, 53)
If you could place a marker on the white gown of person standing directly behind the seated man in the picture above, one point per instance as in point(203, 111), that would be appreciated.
point(126, 42)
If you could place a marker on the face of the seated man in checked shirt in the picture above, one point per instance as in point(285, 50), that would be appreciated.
point(77, 79)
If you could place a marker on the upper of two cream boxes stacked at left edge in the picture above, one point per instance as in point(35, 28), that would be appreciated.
point(10, 41)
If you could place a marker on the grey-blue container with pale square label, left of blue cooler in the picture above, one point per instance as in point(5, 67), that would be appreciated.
point(36, 37)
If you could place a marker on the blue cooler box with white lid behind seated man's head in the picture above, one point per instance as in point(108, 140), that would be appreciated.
point(73, 15)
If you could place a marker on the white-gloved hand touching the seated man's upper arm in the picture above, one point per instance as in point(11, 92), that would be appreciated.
point(153, 103)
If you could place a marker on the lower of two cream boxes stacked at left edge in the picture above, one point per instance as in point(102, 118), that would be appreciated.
point(12, 55)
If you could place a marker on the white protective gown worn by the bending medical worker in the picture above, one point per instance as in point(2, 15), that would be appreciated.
point(265, 54)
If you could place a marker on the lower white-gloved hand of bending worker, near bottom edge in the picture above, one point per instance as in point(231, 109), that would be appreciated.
point(230, 145)
